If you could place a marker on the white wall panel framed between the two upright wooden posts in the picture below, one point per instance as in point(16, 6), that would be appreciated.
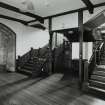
point(66, 21)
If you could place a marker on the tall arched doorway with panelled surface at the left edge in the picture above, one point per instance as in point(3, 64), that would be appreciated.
point(7, 48)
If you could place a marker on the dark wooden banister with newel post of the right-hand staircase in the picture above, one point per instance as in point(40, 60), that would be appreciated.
point(95, 59)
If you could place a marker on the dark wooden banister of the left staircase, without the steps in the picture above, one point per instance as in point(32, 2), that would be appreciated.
point(39, 57)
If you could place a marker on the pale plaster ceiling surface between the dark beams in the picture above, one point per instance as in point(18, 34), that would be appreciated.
point(43, 7)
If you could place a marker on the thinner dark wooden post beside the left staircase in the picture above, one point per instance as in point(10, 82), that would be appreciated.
point(50, 46)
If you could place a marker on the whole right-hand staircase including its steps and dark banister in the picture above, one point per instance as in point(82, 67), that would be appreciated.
point(94, 79)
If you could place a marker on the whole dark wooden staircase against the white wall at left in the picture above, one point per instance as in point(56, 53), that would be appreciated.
point(34, 62)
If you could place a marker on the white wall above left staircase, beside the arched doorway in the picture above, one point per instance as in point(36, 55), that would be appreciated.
point(27, 37)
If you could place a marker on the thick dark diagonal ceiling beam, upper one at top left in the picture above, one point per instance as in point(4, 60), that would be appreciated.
point(12, 8)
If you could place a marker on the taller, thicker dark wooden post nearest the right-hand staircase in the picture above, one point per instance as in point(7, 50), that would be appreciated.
point(80, 26)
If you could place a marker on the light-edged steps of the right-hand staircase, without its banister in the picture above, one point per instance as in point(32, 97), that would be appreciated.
point(97, 79)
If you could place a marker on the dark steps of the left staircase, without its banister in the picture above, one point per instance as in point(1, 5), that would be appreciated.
point(32, 67)
